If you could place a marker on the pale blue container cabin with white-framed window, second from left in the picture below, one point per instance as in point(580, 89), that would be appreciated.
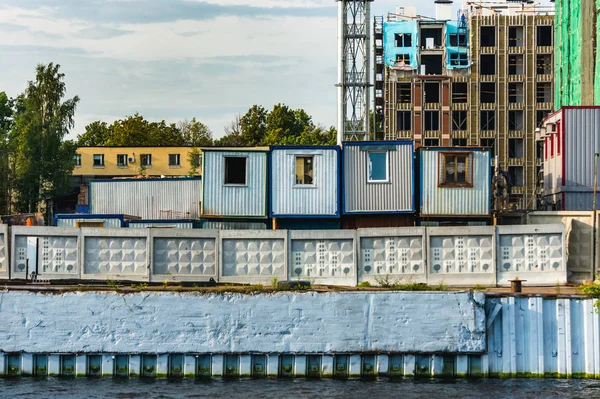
point(305, 184)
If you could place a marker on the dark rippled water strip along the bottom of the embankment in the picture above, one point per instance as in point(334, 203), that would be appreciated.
point(299, 388)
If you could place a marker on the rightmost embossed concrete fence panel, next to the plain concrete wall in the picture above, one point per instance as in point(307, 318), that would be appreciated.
point(535, 253)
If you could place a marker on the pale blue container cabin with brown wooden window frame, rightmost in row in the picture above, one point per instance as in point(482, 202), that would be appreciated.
point(455, 182)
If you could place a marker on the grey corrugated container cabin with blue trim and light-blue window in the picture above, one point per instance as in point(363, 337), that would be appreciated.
point(378, 177)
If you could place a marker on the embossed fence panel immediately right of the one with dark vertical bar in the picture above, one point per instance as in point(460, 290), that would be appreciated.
point(115, 254)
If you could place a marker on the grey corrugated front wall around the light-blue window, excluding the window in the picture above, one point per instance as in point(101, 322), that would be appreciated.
point(362, 196)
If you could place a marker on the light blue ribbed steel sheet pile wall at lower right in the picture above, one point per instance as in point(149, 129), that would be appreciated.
point(537, 337)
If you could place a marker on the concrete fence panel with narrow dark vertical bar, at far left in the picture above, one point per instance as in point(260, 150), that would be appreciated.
point(51, 252)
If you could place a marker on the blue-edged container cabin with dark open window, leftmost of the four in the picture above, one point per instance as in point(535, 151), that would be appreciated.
point(234, 183)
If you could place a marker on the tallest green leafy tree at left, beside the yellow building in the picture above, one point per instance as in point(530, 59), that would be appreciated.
point(43, 159)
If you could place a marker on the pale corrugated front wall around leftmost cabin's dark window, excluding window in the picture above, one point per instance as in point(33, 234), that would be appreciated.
point(237, 201)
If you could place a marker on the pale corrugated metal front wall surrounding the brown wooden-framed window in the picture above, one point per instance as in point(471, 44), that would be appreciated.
point(437, 200)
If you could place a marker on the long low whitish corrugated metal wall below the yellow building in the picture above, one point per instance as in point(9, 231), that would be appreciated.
point(148, 199)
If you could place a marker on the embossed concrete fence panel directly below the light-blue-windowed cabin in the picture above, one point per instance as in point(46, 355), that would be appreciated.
point(393, 255)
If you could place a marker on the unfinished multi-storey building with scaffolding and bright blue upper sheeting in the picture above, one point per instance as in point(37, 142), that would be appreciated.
point(480, 77)
